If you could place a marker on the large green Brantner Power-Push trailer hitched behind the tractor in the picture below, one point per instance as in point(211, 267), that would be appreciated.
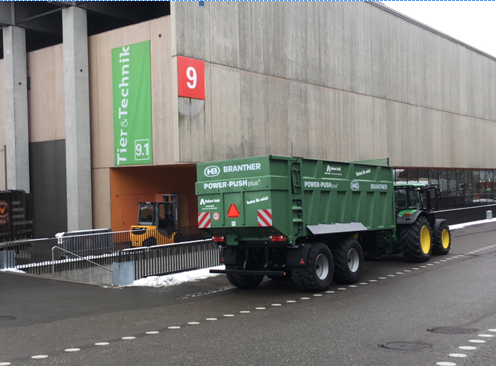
point(290, 217)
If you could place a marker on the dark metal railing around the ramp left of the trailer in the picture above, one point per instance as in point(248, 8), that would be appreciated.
point(88, 256)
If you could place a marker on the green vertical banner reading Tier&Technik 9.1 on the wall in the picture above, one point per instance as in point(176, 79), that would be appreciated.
point(131, 89)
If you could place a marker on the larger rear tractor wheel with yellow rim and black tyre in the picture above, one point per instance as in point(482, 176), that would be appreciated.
point(416, 240)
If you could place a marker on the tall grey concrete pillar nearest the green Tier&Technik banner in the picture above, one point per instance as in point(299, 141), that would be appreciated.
point(77, 119)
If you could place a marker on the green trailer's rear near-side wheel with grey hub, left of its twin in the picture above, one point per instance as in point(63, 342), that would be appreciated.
point(316, 274)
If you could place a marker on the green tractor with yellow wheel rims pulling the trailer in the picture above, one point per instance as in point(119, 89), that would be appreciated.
point(419, 233)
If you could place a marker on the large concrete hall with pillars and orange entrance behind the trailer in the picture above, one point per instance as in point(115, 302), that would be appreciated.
point(324, 80)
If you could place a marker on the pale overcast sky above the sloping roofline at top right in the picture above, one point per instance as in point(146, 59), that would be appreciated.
point(472, 22)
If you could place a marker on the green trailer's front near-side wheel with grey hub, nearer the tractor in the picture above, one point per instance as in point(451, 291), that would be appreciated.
point(348, 261)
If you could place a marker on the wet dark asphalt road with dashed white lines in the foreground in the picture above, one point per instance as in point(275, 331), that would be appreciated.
point(347, 327)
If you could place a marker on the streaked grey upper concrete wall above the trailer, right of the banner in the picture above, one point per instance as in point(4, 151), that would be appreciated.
point(342, 81)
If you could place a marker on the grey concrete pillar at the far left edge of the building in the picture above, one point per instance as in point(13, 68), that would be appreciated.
point(16, 108)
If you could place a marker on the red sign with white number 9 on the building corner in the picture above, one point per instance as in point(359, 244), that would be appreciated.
point(191, 78)
